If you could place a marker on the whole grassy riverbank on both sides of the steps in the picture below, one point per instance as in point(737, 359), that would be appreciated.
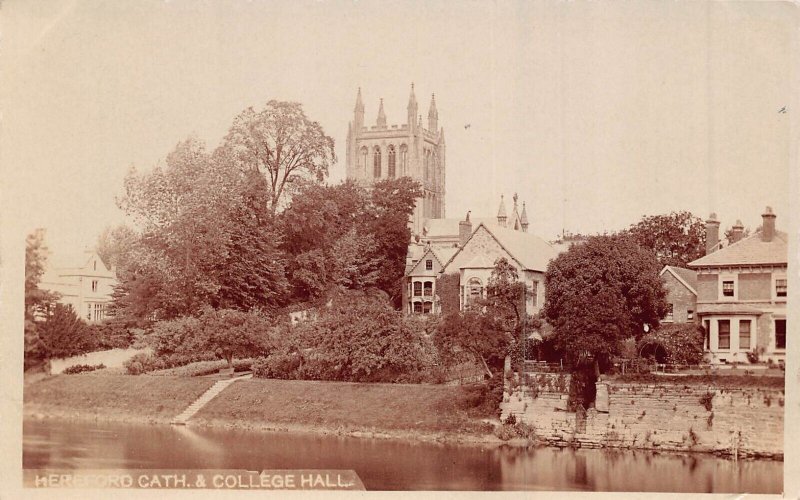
point(390, 411)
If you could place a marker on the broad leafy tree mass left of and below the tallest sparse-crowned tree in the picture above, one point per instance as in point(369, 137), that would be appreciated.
point(206, 239)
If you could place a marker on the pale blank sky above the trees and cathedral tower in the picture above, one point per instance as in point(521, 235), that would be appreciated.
point(594, 113)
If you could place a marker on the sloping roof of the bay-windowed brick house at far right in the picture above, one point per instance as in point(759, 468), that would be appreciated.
point(748, 251)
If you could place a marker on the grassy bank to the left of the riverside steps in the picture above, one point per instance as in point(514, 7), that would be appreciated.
point(115, 397)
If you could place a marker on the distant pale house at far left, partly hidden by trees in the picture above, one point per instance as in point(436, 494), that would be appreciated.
point(87, 287)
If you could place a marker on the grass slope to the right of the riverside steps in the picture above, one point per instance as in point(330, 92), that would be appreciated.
point(342, 406)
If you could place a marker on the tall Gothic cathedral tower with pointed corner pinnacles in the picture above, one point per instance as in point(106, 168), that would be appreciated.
point(386, 151)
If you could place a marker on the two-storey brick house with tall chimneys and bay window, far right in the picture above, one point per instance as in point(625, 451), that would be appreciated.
point(742, 291)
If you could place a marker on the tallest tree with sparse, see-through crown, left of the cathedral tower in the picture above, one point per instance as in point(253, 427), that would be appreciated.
point(283, 145)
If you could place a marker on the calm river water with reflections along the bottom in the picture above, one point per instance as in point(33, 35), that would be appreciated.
point(388, 464)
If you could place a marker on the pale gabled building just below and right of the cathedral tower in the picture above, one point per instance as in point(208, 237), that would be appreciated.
point(475, 260)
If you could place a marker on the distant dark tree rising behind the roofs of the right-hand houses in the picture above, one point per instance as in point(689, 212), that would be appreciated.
point(676, 238)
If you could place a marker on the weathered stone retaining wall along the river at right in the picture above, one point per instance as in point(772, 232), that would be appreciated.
point(667, 416)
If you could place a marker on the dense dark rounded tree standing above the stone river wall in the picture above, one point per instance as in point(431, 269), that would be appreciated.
point(600, 293)
